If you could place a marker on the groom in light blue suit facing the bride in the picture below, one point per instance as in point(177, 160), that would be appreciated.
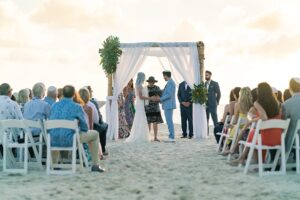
point(168, 103)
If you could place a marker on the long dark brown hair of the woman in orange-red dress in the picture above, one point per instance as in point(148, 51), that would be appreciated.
point(267, 100)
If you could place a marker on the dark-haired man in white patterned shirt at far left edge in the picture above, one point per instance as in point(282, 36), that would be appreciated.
point(8, 108)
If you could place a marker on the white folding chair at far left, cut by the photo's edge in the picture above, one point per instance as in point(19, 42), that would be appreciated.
point(10, 141)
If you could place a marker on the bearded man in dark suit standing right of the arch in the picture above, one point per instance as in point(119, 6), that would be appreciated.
point(214, 95)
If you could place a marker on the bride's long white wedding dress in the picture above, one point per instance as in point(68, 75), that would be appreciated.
point(139, 131)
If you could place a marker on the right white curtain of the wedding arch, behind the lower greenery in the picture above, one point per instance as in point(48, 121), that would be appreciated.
point(184, 59)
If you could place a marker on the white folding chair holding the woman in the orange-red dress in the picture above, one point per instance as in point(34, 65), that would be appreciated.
point(256, 144)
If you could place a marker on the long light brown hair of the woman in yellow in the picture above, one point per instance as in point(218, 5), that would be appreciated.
point(245, 100)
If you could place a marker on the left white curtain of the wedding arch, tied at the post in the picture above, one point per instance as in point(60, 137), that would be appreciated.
point(131, 61)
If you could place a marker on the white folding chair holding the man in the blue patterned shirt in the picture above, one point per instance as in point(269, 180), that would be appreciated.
point(63, 168)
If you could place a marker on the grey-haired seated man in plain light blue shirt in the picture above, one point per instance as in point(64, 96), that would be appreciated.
point(37, 109)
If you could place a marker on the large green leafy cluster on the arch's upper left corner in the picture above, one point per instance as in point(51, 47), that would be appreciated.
point(110, 54)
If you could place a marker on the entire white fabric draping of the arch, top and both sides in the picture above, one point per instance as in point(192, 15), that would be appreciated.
point(182, 58)
